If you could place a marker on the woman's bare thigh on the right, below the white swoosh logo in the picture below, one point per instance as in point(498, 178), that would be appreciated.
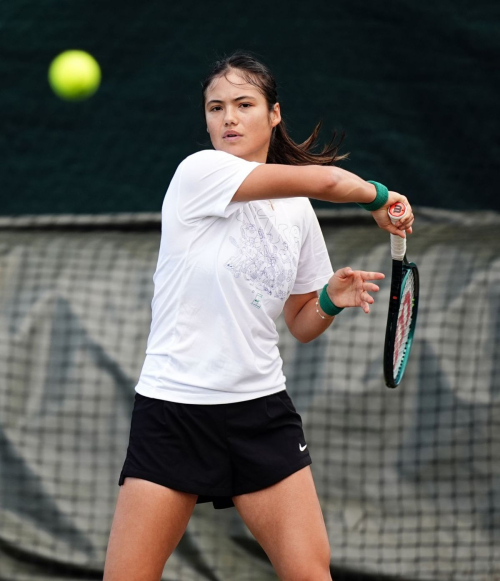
point(287, 521)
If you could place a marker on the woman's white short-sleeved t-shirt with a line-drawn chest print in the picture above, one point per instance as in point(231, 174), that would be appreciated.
point(224, 272)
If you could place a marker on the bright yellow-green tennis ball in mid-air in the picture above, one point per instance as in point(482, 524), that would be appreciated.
point(74, 75)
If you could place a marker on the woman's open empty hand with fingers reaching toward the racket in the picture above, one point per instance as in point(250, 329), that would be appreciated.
point(350, 288)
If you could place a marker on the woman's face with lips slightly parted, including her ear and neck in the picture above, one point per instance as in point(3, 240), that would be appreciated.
point(232, 105)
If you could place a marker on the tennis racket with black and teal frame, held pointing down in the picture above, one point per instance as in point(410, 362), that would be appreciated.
point(403, 306)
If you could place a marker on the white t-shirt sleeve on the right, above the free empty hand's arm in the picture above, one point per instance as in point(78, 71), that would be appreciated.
point(314, 269)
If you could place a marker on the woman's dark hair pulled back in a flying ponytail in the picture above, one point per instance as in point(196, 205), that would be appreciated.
point(282, 148)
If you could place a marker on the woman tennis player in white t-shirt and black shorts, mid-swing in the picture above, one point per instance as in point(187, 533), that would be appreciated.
point(212, 420)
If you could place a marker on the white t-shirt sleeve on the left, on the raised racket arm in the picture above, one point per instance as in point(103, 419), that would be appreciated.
point(208, 180)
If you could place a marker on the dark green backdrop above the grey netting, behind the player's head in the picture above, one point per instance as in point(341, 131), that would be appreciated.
point(412, 83)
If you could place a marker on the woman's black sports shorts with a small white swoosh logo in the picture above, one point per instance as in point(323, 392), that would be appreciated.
point(216, 451)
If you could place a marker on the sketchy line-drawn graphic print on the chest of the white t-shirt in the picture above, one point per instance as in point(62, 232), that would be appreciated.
point(264, 258)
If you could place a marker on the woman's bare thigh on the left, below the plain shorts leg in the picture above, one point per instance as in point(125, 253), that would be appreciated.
point(149, 522)
